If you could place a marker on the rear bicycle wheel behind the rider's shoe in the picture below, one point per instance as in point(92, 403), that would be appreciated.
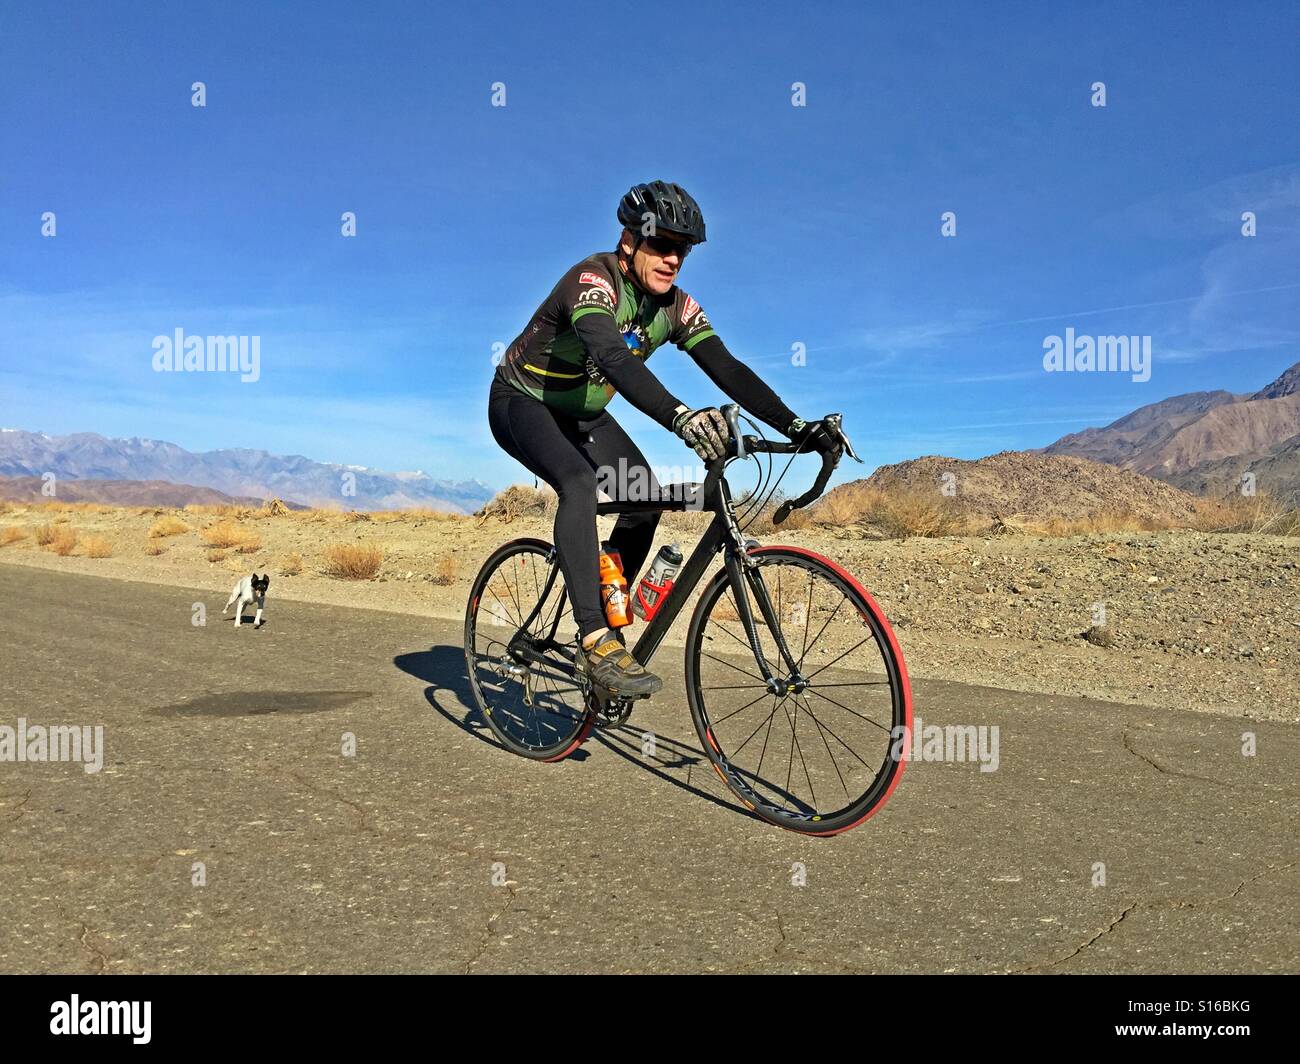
point(522, 668)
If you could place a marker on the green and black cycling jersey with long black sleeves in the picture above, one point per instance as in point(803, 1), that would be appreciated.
point(593, 334)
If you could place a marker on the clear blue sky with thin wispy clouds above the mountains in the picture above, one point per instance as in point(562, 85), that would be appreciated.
point(824, 220)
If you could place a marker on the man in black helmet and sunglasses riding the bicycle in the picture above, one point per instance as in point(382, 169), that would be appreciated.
point(588, 340)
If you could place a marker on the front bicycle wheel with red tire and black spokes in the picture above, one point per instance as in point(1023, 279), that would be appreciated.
point(821, 750)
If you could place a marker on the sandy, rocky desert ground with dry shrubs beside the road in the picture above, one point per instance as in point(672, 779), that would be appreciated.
point(1185, 620)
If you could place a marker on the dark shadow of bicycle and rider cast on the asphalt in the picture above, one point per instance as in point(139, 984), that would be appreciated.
point(444, 669)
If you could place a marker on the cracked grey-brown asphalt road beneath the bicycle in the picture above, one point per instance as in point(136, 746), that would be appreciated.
point(224, 747)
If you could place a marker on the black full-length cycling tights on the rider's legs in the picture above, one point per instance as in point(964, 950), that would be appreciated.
point(566, 453)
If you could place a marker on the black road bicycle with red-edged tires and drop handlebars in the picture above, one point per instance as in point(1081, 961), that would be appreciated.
point(794, 676)
